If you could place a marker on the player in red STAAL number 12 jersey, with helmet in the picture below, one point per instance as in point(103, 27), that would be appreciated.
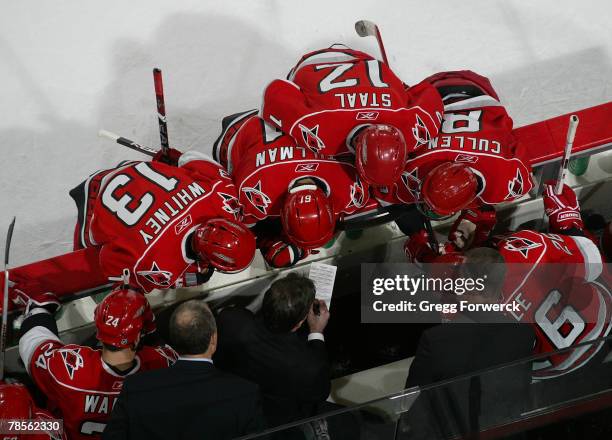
point(339, 101)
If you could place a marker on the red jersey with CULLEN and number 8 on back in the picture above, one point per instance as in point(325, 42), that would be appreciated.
point(477, 132)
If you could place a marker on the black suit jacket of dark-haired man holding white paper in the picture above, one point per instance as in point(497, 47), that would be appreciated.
point(292, 373)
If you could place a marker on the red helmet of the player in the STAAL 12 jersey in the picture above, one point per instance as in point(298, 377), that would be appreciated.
point(380, 154)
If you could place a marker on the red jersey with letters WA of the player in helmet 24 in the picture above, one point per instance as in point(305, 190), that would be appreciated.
point(80, 387)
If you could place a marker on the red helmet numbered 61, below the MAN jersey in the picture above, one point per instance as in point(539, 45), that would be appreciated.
point(307, 216)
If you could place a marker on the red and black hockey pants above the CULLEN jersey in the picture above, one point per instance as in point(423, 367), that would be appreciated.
point(461, 84)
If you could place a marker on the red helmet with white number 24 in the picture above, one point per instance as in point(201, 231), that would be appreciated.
point(122, 317)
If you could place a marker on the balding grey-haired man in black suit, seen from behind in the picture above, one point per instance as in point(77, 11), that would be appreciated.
point(192, 399)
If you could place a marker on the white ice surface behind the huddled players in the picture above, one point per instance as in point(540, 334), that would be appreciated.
point(70, 67)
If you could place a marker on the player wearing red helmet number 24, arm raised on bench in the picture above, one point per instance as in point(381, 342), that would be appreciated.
point(81, 383)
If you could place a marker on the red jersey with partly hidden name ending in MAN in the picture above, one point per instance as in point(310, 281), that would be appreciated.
point(264, 163)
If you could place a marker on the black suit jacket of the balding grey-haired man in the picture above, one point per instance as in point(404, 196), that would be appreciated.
point(188, 400)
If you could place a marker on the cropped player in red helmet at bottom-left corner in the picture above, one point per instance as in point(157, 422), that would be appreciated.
point(17, 404)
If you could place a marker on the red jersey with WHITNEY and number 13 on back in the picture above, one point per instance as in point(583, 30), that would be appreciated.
point(142, 213)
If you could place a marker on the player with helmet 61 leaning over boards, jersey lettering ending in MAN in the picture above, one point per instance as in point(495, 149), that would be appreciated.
point(292, 196)
